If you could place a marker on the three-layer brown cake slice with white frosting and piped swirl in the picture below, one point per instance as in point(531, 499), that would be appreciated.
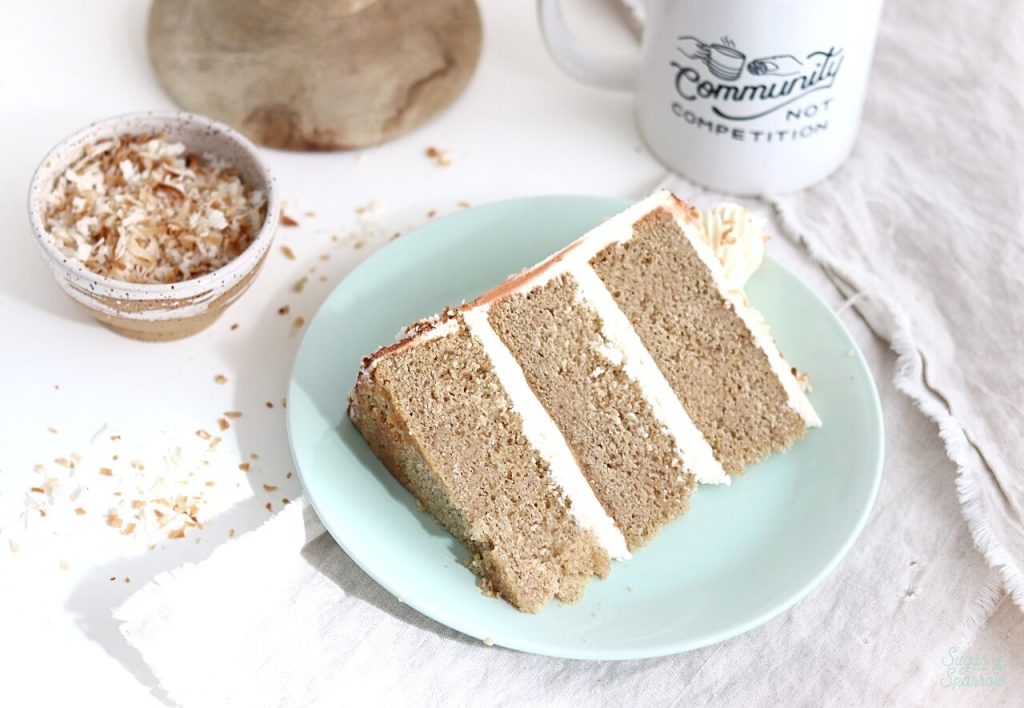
point(561, 421)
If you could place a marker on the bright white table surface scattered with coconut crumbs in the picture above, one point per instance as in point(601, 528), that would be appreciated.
point(68, 385)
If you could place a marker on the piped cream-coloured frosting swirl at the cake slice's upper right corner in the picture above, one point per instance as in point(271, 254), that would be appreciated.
point(738, 240)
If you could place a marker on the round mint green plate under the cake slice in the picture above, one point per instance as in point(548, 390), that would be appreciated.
point(741, 557)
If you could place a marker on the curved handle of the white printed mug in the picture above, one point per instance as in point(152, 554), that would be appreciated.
point(608, 72)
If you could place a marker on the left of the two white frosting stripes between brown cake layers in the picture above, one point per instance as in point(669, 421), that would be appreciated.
point(545, 437)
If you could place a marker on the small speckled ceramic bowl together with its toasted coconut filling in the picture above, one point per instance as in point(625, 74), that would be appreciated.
point(156, 222)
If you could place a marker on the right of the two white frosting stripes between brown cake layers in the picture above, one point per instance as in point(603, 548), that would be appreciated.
point(697, 454)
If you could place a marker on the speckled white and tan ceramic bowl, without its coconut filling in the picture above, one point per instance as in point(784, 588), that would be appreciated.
point(157, 312)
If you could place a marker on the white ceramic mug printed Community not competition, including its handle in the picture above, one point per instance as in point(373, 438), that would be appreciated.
point(747, 97)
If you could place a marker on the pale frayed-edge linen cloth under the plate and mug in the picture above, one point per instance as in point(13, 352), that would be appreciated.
point(923, 229)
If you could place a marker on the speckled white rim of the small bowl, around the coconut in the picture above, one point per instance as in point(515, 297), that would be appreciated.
point(235, 269)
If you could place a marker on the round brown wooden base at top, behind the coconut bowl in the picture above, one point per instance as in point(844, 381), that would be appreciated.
point(316, 74)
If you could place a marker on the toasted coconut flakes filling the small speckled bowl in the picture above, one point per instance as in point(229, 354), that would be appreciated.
point(141, 210)
